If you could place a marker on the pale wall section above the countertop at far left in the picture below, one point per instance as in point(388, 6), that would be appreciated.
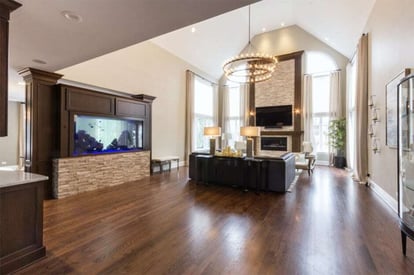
point(9, 145)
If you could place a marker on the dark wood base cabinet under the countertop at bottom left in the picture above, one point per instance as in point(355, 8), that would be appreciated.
point(21, 228)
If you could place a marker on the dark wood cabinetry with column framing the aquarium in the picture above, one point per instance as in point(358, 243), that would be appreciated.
point(50, 111)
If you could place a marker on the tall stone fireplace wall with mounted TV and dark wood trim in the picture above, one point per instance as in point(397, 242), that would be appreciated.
point(277, 105)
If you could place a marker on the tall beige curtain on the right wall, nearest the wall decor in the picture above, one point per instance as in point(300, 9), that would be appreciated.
point(361, 103)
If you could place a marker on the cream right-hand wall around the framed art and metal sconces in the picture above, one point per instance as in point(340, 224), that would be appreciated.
point(391, 40)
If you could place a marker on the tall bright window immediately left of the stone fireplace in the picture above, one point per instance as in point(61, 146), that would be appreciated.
point(233, 114)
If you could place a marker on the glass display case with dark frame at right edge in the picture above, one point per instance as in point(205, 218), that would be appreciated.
point(406, 158)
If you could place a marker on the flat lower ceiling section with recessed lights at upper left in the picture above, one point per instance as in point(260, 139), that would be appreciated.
point(39, 31)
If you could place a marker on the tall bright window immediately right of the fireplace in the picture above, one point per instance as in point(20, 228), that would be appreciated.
point(321, 115)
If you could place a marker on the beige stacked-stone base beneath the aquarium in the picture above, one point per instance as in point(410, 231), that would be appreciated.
point(80, 174)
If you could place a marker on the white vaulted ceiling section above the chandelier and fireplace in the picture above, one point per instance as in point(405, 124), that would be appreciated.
point(338, 23)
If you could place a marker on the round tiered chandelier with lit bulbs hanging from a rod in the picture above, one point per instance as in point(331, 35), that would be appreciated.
point(250, 67)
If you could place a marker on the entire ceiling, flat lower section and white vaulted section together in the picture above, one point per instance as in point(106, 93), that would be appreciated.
point(39, 31)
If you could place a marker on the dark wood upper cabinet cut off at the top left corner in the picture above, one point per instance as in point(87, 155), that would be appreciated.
point(6, 7)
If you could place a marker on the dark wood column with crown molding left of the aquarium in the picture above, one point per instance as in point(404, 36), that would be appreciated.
point(42, 123)
